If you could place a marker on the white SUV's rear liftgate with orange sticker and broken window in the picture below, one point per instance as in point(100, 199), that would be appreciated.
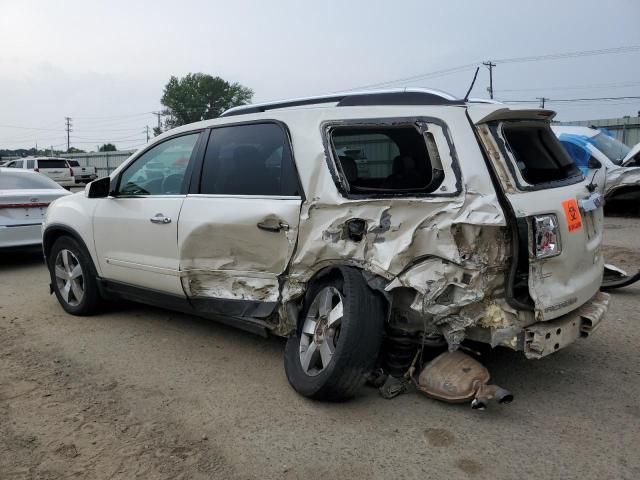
point(559, 208)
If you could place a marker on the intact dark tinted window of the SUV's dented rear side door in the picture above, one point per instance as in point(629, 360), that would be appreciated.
point(249, 160)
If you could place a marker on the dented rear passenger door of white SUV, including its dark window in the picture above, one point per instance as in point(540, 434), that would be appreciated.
point(238, 228)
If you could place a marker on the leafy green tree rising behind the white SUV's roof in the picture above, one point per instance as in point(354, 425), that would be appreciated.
point(198, 96)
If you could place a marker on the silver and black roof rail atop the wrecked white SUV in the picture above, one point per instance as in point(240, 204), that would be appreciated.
point(405, 96)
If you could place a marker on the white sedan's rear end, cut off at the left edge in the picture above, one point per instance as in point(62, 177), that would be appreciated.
point(24, 198)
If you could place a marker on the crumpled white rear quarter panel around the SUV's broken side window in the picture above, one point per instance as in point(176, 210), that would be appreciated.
point(449, 251)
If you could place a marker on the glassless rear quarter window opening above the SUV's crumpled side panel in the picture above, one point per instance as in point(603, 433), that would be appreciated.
point(387, 160)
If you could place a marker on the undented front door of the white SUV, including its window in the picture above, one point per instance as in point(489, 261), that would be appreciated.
point(136, 228)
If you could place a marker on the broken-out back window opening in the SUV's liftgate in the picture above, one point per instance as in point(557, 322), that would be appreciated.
point(537, 153)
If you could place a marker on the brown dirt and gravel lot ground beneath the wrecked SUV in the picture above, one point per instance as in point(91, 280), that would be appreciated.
point(138, 392)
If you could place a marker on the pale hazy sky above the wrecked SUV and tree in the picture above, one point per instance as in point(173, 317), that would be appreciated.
point(105, 63)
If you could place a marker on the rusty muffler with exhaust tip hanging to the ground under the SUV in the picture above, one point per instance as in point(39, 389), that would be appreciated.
point(455, 377)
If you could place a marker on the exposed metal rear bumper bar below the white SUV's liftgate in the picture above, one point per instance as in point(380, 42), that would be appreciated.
point(543, 338)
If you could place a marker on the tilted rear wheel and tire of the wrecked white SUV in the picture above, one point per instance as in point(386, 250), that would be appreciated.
point(338, 338)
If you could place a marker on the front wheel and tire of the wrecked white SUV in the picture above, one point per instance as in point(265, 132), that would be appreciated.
point(73, 277)
